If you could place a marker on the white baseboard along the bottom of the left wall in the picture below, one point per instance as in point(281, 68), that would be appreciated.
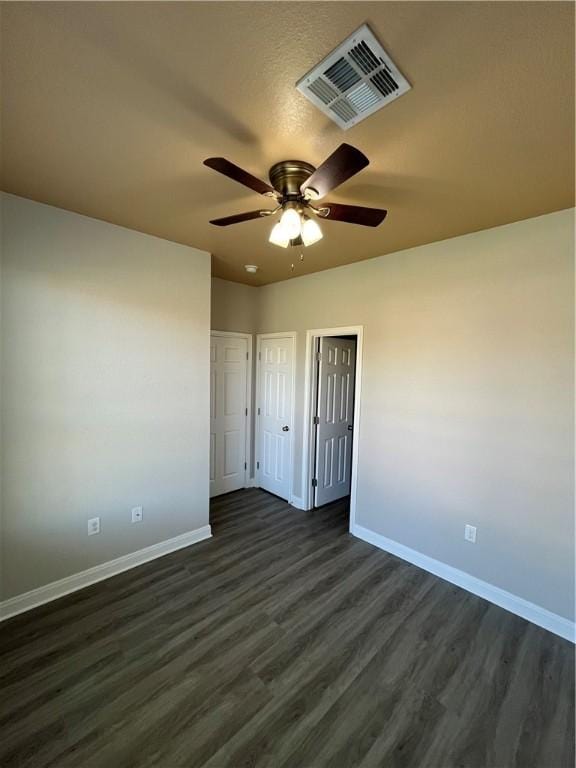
point(28, 600)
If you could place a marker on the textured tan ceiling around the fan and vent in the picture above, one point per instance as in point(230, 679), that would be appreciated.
point(110, 108)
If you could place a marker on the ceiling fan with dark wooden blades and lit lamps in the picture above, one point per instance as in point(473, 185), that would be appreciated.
point(295, 185)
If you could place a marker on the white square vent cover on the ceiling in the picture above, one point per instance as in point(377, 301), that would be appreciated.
point(354, 81)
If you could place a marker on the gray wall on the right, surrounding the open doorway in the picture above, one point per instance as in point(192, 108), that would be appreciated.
point(467, 400)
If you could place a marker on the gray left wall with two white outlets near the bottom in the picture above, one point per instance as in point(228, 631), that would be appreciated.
point(105, 369)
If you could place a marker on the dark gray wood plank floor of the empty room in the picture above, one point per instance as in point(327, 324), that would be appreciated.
point(283, 641)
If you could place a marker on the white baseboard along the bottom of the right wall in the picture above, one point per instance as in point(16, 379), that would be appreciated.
point(527, 610)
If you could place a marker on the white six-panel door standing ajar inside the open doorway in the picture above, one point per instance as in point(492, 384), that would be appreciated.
point(335, 412)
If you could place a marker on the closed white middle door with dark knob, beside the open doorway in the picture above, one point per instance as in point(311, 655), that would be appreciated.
point(274, 415)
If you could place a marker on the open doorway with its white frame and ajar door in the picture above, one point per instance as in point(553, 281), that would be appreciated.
point(331, 420)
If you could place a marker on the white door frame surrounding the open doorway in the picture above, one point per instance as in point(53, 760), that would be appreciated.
point(310, 381)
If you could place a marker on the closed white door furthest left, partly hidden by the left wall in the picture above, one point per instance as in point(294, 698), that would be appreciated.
point(228, 413)
